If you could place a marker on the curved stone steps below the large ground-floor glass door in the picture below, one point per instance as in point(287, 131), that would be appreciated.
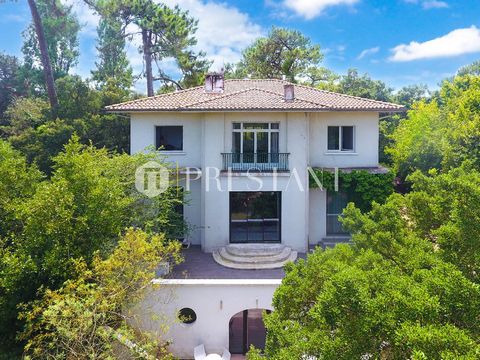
point(254, 256)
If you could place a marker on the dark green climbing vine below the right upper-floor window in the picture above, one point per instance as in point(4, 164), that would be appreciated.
point(362, 187)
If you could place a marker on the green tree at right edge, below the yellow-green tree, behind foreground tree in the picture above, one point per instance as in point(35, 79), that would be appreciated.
point(446, 209)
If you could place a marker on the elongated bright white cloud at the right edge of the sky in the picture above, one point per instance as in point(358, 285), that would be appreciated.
point(456, 42)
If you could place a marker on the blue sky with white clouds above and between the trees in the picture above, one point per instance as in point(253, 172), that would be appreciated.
point(400, 42)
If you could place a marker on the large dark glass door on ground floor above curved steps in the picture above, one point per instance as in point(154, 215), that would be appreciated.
point(255, 217)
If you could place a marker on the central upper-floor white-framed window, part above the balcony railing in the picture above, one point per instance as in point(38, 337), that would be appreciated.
point(255, 138)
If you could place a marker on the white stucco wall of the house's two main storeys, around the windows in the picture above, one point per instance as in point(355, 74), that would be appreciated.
point(303, 135)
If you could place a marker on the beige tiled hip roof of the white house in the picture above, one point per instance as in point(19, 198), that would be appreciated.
point(254, 95)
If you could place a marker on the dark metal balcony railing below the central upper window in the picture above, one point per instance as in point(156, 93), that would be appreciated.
point(255, 162)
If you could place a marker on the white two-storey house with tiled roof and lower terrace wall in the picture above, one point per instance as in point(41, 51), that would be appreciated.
point(243, 149)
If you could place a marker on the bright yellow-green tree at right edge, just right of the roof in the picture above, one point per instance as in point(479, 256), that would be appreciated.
point(441, 134)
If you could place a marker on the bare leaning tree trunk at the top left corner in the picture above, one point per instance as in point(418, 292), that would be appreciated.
point(42, 44)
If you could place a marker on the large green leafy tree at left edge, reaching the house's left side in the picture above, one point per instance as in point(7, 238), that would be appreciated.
point(80, 211)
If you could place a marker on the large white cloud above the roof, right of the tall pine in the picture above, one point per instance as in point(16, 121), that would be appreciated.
point(223, 31)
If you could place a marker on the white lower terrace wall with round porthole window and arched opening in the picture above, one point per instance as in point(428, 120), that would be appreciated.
point(214, 302)
